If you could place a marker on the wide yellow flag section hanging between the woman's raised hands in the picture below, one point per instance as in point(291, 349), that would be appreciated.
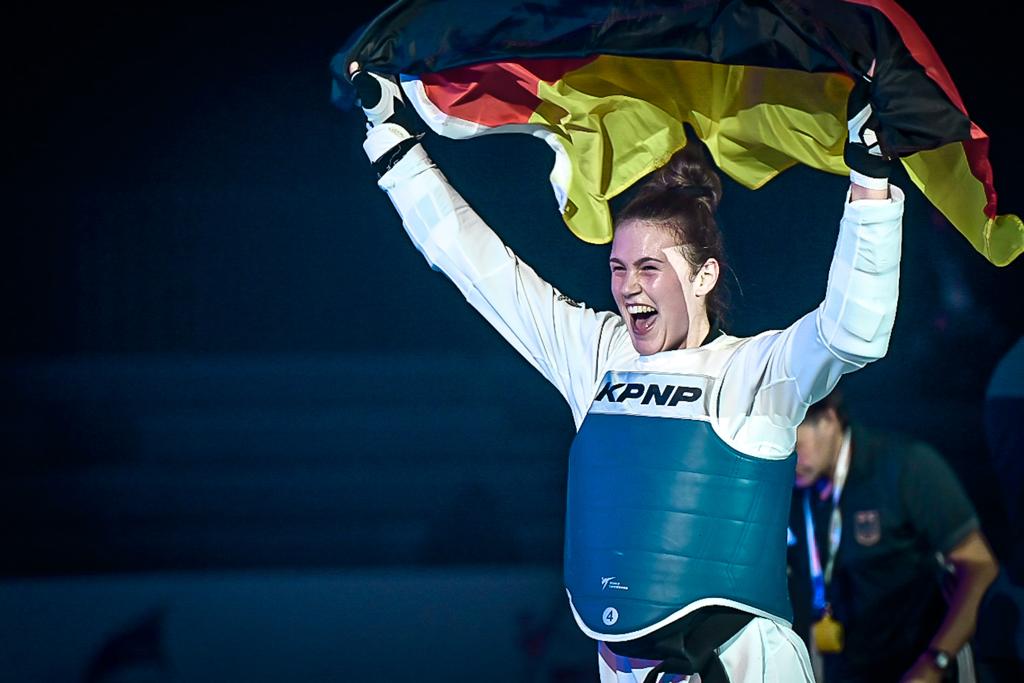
point(623, 117)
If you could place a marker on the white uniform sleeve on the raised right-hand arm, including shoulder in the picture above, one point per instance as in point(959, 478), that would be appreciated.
point(773, 379)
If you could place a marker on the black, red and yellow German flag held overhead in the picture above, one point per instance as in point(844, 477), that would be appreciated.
point(764, 84)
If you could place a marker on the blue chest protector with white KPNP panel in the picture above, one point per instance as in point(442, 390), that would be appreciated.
point(664, 518)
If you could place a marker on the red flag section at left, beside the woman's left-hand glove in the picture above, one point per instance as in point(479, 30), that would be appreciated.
point(496, 94)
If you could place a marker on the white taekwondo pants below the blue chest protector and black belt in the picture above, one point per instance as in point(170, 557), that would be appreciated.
point(763, 652)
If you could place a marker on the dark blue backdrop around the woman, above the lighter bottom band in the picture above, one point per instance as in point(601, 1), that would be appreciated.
point(221, 352)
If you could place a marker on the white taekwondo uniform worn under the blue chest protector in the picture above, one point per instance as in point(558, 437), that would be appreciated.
point(756, 391)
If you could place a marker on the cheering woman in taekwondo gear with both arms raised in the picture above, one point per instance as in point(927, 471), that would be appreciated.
point(681, 472)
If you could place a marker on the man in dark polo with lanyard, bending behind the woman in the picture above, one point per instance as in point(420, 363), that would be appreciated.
point(888, 564)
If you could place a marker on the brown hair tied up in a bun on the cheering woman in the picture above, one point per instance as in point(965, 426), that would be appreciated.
point(681, 198)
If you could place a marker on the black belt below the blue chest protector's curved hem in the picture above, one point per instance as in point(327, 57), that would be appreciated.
point(689, 646)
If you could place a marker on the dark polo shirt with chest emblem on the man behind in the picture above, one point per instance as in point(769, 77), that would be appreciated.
point(901, 506)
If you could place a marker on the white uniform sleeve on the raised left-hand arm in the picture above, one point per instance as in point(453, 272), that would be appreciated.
point(562, 338)
